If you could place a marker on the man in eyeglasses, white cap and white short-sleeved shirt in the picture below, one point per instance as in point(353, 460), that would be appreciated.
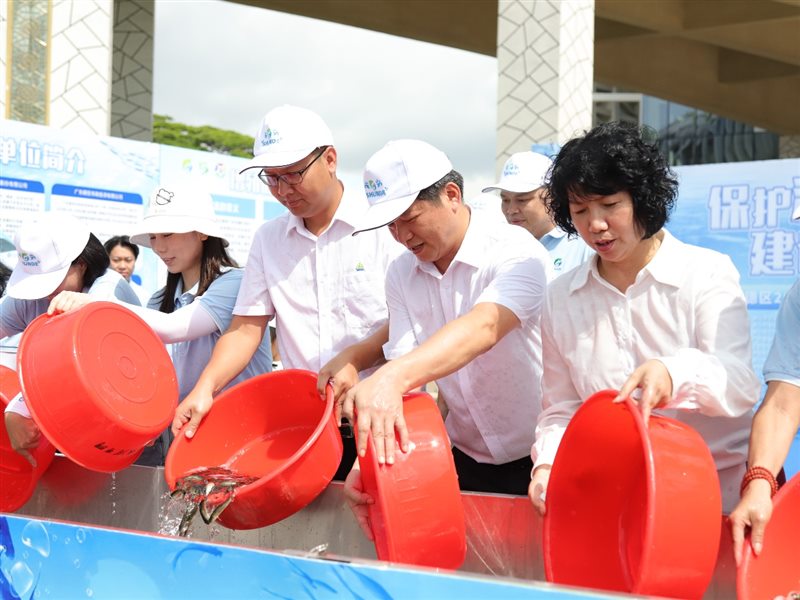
point(324, 286)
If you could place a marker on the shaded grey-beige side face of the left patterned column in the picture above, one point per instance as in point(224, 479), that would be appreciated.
point(132, 70)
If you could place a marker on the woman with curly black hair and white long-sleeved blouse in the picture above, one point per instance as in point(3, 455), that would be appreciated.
point(659, 320)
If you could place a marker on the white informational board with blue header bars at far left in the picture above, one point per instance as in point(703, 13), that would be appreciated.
point(100, 180)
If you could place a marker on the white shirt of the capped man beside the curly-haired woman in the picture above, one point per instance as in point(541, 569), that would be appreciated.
point(494, 399)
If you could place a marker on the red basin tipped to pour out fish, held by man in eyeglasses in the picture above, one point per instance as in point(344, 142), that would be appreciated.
point(274, 427)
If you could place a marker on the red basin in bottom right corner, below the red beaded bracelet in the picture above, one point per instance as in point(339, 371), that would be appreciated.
point(776, 571)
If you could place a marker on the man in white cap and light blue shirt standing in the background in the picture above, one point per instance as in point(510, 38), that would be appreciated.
point(522, 200)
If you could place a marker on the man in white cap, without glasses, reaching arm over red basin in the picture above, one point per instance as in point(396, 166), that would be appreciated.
point(464, 307)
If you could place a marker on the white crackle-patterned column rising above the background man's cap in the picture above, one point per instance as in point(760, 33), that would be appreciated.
point(545, 62)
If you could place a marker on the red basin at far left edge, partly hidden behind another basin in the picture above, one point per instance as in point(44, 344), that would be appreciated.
point(17, 477)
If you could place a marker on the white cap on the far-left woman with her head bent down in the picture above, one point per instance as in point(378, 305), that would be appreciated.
point(46, 247)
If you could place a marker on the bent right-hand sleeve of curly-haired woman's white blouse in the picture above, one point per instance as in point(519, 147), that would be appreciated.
point(716, 377)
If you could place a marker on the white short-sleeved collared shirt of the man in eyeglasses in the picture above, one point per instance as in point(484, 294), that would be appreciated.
point(326, 292)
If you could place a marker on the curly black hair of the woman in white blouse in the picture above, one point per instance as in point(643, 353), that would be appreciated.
point(613, 157)
